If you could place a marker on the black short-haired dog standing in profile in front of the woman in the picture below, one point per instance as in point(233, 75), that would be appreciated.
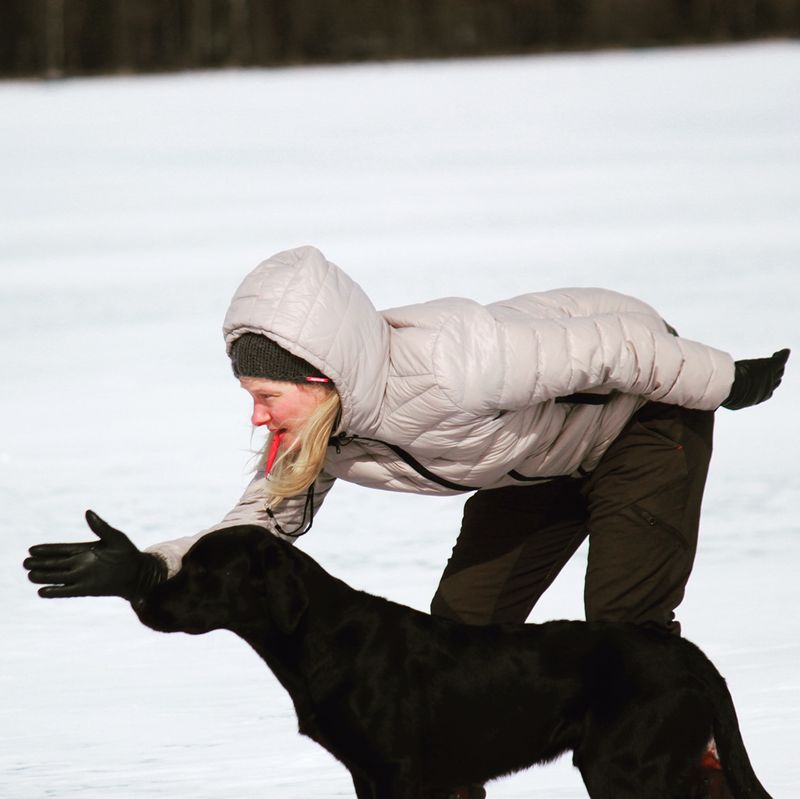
point(413, 705)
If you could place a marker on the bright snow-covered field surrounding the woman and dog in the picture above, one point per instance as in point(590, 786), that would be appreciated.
point(131, 208)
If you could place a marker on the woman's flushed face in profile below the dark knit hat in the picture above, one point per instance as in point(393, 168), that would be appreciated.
point(282, 406)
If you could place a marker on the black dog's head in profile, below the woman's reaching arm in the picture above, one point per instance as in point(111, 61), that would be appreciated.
point(238, 578)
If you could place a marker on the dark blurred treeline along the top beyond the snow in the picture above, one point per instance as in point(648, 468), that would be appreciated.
point(75, 37)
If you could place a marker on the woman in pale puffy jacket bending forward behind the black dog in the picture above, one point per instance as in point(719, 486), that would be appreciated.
point(565, 413)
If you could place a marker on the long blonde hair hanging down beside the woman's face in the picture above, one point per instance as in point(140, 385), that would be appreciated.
point(296, 469)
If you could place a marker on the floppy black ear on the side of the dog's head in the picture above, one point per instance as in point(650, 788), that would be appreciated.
point(284, 595)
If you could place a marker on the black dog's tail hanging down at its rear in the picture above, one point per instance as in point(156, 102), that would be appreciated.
point(736, 766)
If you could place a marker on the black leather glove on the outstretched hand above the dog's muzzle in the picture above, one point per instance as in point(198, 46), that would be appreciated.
point(112, 566)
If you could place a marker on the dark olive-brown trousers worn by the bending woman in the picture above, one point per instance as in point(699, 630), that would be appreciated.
point(640, 509)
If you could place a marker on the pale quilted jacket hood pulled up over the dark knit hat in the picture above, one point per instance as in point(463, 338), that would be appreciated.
point(314, 310)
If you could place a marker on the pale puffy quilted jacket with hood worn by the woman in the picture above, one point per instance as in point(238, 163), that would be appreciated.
point(450, 395)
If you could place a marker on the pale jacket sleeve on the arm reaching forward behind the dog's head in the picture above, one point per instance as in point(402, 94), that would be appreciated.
point(292, 517)
